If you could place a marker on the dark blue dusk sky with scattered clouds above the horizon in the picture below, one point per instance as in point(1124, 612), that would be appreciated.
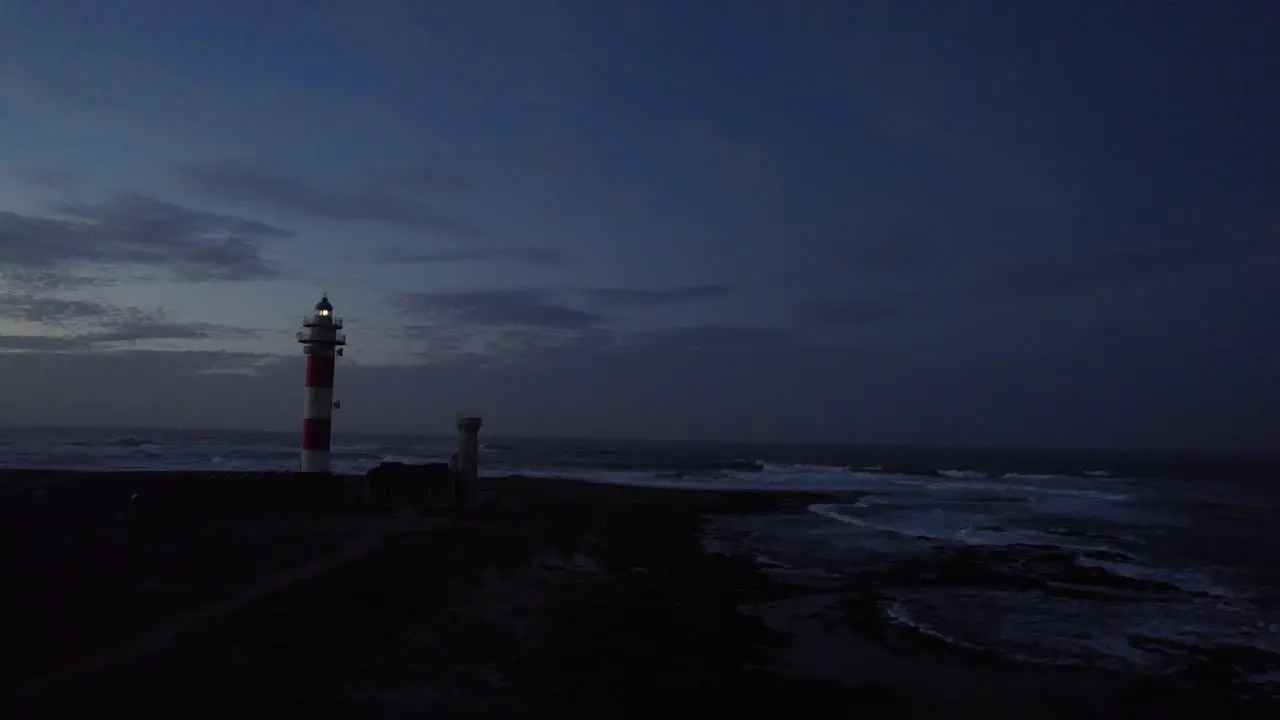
point(1053, 224)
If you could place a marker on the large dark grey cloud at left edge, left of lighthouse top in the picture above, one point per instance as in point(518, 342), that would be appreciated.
point(132, 230)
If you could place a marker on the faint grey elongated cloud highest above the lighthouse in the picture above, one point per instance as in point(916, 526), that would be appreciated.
point(374, 199)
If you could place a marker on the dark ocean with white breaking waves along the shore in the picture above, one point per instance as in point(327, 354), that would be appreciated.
point(1135, 562)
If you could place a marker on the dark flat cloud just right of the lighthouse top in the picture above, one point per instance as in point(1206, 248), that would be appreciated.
point(499, 308)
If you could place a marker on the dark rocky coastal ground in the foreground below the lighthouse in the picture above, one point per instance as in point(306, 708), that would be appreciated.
point(199, 596)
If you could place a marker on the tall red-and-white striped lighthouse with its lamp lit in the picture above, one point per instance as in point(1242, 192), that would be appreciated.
point(322, 340)
